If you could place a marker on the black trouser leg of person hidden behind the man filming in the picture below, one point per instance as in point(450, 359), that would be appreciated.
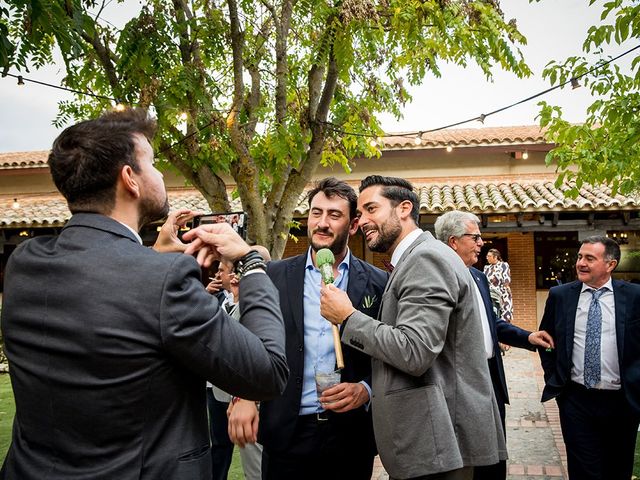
point(221, 445)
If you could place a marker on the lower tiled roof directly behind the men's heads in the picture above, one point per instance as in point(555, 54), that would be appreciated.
point(500, 196)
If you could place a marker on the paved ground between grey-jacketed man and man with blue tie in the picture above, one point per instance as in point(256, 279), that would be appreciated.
point(534, 440)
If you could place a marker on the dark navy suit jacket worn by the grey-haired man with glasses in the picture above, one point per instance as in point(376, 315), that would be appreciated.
point(501, 331)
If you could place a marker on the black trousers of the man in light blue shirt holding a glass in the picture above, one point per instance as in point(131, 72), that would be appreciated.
point(319, 451)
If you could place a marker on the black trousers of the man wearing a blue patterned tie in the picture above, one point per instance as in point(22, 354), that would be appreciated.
point(599, 430)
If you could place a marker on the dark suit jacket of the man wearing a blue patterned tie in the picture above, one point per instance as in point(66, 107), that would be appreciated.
point(559, 320)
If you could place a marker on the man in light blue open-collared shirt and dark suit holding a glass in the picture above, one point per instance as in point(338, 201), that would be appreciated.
point(303, 437)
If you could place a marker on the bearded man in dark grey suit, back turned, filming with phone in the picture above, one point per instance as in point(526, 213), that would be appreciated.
point(109, 342)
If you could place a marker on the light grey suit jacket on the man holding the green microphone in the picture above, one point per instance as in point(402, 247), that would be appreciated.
point(433, 404)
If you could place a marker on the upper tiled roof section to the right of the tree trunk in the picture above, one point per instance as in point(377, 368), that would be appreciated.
point(467, 137)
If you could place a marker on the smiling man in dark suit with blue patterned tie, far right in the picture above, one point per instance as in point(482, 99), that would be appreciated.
point(594, 371)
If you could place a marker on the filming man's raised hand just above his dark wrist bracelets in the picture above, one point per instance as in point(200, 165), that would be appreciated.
point(214, 241)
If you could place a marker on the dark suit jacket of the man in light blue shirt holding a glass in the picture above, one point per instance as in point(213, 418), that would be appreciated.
point(278, 416)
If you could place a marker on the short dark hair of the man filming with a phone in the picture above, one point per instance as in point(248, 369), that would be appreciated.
point(86, 158)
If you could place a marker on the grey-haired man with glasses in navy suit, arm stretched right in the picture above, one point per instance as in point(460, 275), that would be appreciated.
point(460, 230)
